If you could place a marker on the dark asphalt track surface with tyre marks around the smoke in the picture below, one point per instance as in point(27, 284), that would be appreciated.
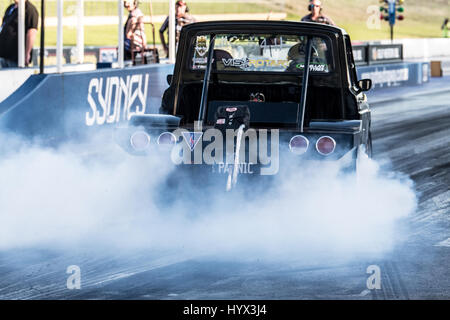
point(410, 135)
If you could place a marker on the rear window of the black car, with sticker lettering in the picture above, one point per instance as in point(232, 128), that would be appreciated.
point(261, 52)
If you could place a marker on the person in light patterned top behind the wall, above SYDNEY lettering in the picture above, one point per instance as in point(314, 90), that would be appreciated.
point(135, 39)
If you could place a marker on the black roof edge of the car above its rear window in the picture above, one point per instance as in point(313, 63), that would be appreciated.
point(274, 25)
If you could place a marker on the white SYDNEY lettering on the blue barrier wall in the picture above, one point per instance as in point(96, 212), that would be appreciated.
point(114, 99)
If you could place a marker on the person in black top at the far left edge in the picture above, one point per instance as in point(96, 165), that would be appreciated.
point(9, 38)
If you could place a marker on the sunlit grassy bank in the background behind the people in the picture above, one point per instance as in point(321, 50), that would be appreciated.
point(422, 18)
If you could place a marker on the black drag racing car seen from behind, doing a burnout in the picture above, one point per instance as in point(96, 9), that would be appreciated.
point(248, 98)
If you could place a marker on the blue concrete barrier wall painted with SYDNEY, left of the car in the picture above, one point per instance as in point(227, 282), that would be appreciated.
point(59, 106)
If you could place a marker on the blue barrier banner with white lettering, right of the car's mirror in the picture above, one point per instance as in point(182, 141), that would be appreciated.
point(395, 75)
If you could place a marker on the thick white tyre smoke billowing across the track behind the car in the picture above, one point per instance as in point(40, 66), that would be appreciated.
point(74, 196)
